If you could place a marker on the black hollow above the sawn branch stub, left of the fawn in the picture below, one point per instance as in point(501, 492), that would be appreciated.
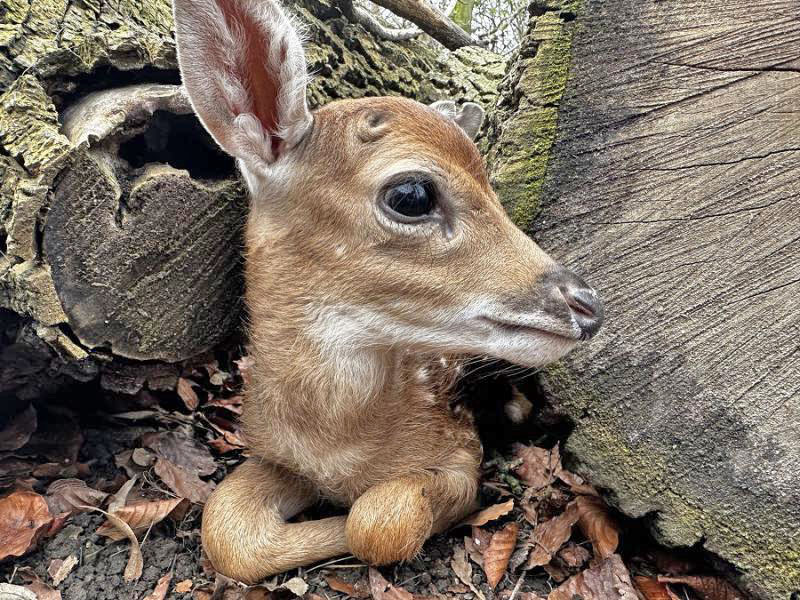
point(181, 142)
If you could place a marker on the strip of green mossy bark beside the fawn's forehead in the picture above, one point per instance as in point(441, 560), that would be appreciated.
point(525, 124)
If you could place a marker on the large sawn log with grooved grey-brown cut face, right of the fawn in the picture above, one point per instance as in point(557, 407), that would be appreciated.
point(672, 183)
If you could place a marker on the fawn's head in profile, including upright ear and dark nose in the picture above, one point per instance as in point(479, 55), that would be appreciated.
point(372, 221)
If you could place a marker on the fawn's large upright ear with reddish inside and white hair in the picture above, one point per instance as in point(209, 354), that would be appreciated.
point(244, 69)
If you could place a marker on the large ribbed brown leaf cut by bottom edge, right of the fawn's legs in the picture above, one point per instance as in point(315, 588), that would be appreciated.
point(607, 580)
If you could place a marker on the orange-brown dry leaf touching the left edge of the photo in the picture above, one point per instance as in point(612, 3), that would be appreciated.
point(24, 517)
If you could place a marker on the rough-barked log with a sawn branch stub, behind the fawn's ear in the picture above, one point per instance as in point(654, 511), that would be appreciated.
point(119, 218)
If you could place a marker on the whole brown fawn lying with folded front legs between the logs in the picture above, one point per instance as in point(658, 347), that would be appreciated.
point(374, 241)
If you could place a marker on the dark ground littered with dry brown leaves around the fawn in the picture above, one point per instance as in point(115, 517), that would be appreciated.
point(150, 460)
